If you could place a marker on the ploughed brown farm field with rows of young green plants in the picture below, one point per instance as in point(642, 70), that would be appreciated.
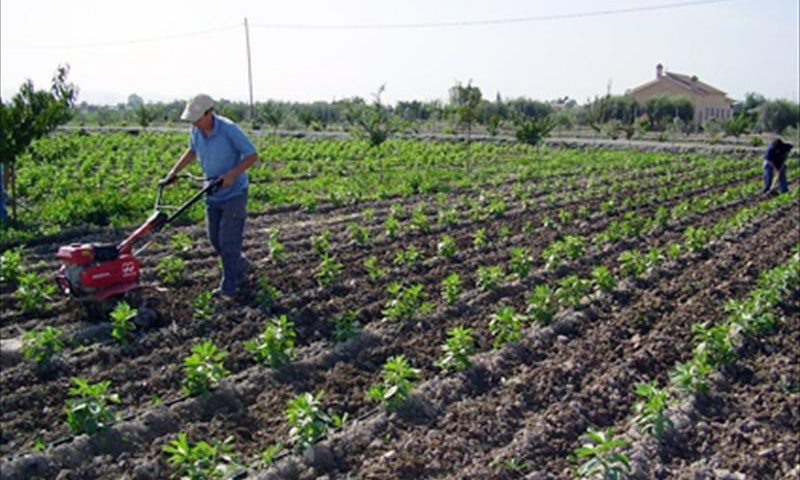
point(573, 276)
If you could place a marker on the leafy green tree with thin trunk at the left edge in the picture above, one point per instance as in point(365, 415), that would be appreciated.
point(30, 115)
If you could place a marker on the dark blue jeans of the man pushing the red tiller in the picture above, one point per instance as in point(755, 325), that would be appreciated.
point(226, 232)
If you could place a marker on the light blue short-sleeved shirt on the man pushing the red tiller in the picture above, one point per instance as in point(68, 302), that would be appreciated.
point(219, 152)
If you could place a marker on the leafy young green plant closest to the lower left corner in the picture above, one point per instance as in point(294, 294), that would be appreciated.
point(88, 410)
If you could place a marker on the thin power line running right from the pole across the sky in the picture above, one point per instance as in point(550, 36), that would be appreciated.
point(478, 23)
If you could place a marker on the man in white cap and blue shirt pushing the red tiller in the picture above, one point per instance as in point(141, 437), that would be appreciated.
point(224, 151)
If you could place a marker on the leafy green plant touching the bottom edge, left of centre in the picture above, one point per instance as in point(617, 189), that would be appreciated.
point(201, 460)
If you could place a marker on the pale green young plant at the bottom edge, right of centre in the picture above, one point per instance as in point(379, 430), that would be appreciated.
point(602, 456)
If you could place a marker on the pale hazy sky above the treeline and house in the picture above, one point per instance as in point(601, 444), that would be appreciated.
point(307, 50)
